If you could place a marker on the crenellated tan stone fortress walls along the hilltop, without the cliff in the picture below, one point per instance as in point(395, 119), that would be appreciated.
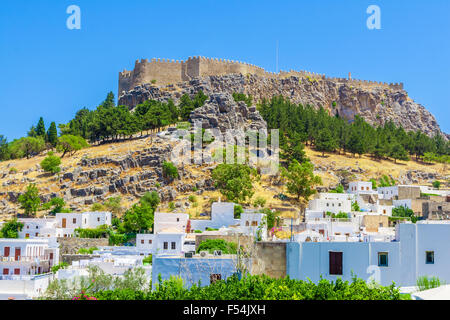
point(164, 72)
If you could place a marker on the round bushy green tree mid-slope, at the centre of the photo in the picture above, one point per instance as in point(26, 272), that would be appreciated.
point(234, 181)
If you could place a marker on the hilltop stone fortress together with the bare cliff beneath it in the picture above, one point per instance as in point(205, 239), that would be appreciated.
point(377, 102)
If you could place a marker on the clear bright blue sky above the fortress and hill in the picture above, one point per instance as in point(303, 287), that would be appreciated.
point(48, 70)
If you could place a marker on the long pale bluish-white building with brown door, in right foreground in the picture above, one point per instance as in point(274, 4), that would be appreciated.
point(419, 249)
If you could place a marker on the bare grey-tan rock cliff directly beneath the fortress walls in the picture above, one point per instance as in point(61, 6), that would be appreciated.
point(376, 104)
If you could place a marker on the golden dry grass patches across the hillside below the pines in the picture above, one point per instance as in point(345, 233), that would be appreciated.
point(263, 188)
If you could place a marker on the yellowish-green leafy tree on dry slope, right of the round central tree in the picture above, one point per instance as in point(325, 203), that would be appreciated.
point(300, 179)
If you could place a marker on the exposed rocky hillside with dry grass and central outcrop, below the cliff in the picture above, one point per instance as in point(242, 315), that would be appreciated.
point(132, 167)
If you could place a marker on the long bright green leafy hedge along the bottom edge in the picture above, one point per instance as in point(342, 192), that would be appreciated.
point(258, 287)
